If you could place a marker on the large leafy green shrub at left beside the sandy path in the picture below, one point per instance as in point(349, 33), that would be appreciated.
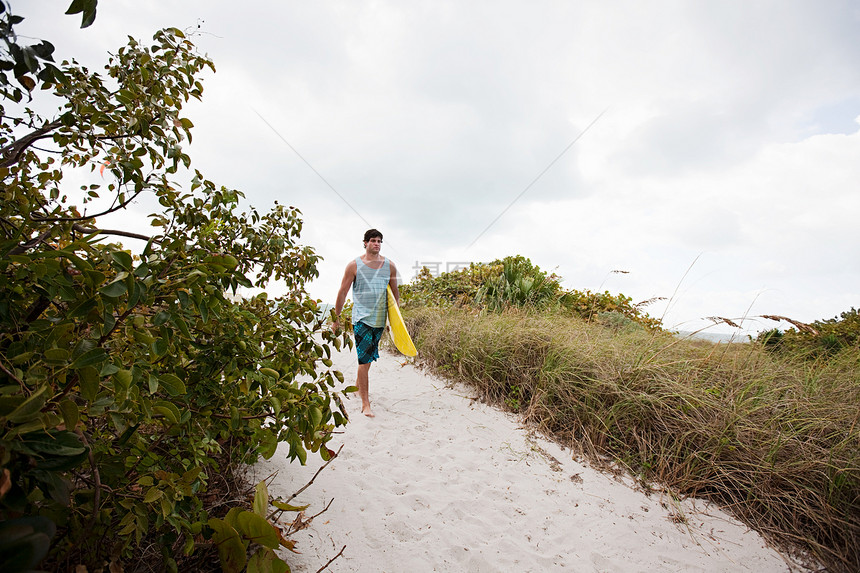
point(130, 381)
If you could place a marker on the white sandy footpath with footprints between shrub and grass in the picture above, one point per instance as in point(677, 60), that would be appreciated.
point(440, 482)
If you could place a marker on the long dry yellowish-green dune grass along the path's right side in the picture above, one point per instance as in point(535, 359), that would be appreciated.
point(776, 442)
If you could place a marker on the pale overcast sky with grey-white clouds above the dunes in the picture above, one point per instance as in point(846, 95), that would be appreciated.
point(707, 148)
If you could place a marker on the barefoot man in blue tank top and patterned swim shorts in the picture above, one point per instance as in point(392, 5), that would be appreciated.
point(368, 275)
